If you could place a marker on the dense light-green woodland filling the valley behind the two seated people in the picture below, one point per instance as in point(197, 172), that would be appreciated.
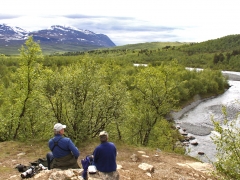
point(94, 93)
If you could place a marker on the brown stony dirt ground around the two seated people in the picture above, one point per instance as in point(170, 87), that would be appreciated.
point(167, 166)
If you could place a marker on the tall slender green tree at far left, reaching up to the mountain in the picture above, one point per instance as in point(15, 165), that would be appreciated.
point(20, 105)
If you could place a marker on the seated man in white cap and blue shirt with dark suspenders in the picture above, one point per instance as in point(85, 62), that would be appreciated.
point(64, 153)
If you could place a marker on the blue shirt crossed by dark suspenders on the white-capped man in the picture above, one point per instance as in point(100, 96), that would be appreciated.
point(66, 147)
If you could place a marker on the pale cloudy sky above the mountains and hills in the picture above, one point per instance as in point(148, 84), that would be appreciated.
point(129, 21)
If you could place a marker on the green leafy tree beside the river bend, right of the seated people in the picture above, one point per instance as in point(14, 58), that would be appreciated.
point(154, 95)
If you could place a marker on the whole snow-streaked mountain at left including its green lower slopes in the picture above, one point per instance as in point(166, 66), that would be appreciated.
point(55, 39)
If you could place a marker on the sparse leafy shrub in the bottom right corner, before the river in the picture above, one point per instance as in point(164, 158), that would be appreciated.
point(227, 141)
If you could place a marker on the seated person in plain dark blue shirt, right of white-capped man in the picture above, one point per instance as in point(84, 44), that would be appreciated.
point(105, 158)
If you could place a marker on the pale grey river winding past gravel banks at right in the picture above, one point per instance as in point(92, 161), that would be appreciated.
point(196, 118)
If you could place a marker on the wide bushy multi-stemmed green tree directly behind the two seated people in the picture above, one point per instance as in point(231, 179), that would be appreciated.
point(91, 96)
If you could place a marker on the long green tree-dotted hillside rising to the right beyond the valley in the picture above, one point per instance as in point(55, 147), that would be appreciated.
point(222, 53)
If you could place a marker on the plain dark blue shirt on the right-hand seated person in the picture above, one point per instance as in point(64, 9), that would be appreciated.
point(105, 157)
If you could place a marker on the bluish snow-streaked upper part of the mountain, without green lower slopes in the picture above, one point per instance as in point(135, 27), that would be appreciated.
point(56, 34)
